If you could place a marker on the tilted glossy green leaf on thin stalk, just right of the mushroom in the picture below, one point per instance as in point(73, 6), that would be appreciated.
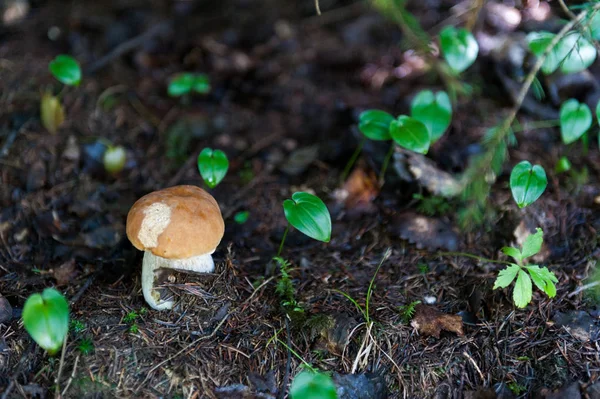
point(308, 213)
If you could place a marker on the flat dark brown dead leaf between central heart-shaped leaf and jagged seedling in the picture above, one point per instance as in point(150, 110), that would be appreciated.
point(425, 232)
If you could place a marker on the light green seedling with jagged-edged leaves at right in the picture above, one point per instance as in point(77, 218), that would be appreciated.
point(542, 277)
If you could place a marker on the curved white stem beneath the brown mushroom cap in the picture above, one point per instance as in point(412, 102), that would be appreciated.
point(151, 262)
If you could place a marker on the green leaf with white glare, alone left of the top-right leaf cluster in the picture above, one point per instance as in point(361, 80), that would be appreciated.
point(459, 47)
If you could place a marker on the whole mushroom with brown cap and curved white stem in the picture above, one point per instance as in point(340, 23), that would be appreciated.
point(177, 228)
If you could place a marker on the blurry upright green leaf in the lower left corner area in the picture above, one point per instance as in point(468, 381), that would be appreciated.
point(46, 319)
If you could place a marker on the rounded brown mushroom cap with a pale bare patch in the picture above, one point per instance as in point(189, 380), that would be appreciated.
point(176, 223)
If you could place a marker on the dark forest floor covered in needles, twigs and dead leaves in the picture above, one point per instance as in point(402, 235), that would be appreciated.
point(287, 87)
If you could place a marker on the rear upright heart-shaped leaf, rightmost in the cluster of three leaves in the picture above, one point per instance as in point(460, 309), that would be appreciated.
point(434, 110)
